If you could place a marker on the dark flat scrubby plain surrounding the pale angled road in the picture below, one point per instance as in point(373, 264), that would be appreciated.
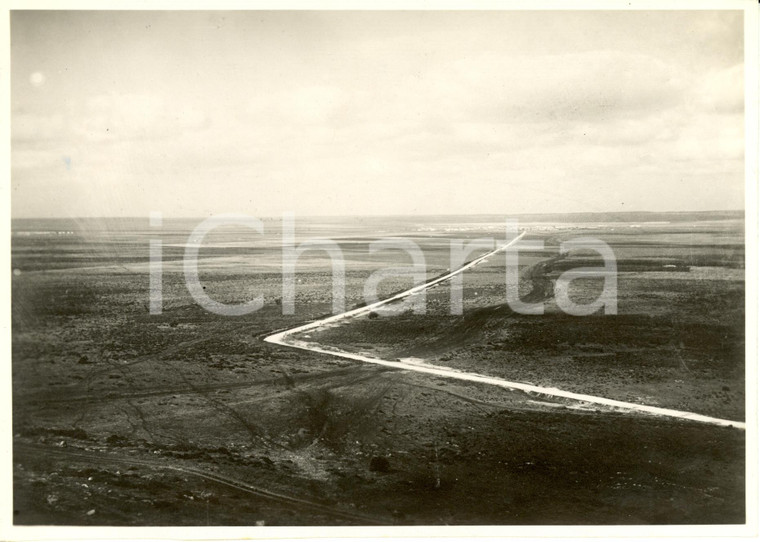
point(188, 418)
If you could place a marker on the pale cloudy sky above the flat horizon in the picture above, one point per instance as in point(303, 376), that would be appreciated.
point(369, 113)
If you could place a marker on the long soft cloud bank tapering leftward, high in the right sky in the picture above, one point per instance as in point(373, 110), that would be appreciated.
point(489, 87)
